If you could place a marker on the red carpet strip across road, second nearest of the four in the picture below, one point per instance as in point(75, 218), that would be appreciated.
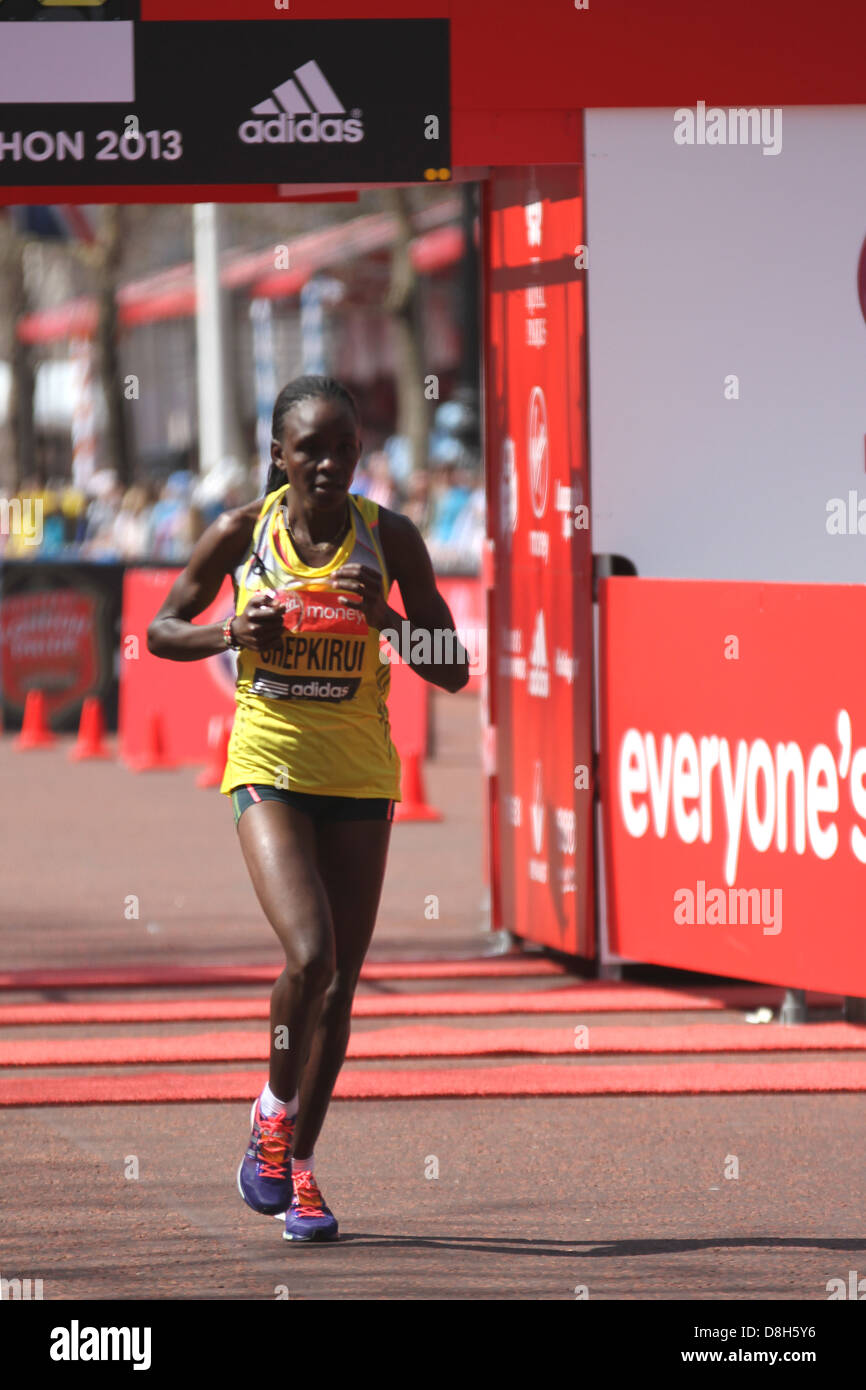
point(443, 1042)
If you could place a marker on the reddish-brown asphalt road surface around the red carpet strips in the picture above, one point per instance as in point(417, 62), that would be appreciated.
point(611, 1199)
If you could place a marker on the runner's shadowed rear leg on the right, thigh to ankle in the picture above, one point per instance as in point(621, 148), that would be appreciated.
point(352, 857)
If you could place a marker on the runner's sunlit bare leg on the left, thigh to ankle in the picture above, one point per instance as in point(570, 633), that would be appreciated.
point(280, 850)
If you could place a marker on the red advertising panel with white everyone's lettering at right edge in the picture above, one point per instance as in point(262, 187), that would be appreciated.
point(735, 778)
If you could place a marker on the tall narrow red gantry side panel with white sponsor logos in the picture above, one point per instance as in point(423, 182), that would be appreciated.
point(541, 640)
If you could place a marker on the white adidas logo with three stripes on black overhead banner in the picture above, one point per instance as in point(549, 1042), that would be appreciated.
point(305, 109)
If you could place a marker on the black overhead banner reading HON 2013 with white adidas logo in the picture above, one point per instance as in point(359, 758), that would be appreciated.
point(313, 102)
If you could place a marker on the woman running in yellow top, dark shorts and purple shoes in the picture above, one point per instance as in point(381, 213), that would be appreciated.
point(312, 771)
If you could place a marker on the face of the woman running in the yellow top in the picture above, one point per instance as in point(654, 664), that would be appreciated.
point(319, 451)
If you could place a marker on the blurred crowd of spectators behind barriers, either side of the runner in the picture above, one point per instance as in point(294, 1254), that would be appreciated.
point(161, 522)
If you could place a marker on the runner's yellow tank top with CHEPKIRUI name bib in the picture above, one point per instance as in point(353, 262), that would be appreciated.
point(312, 711)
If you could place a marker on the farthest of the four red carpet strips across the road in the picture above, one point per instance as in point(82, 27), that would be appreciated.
point(151, 976)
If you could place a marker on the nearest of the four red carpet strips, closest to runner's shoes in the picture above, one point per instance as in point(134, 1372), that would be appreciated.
point(536, 1079)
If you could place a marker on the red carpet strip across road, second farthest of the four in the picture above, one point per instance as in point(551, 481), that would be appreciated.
point(611, 997)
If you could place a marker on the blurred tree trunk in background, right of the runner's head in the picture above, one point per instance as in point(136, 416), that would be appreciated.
point(402, 304)
